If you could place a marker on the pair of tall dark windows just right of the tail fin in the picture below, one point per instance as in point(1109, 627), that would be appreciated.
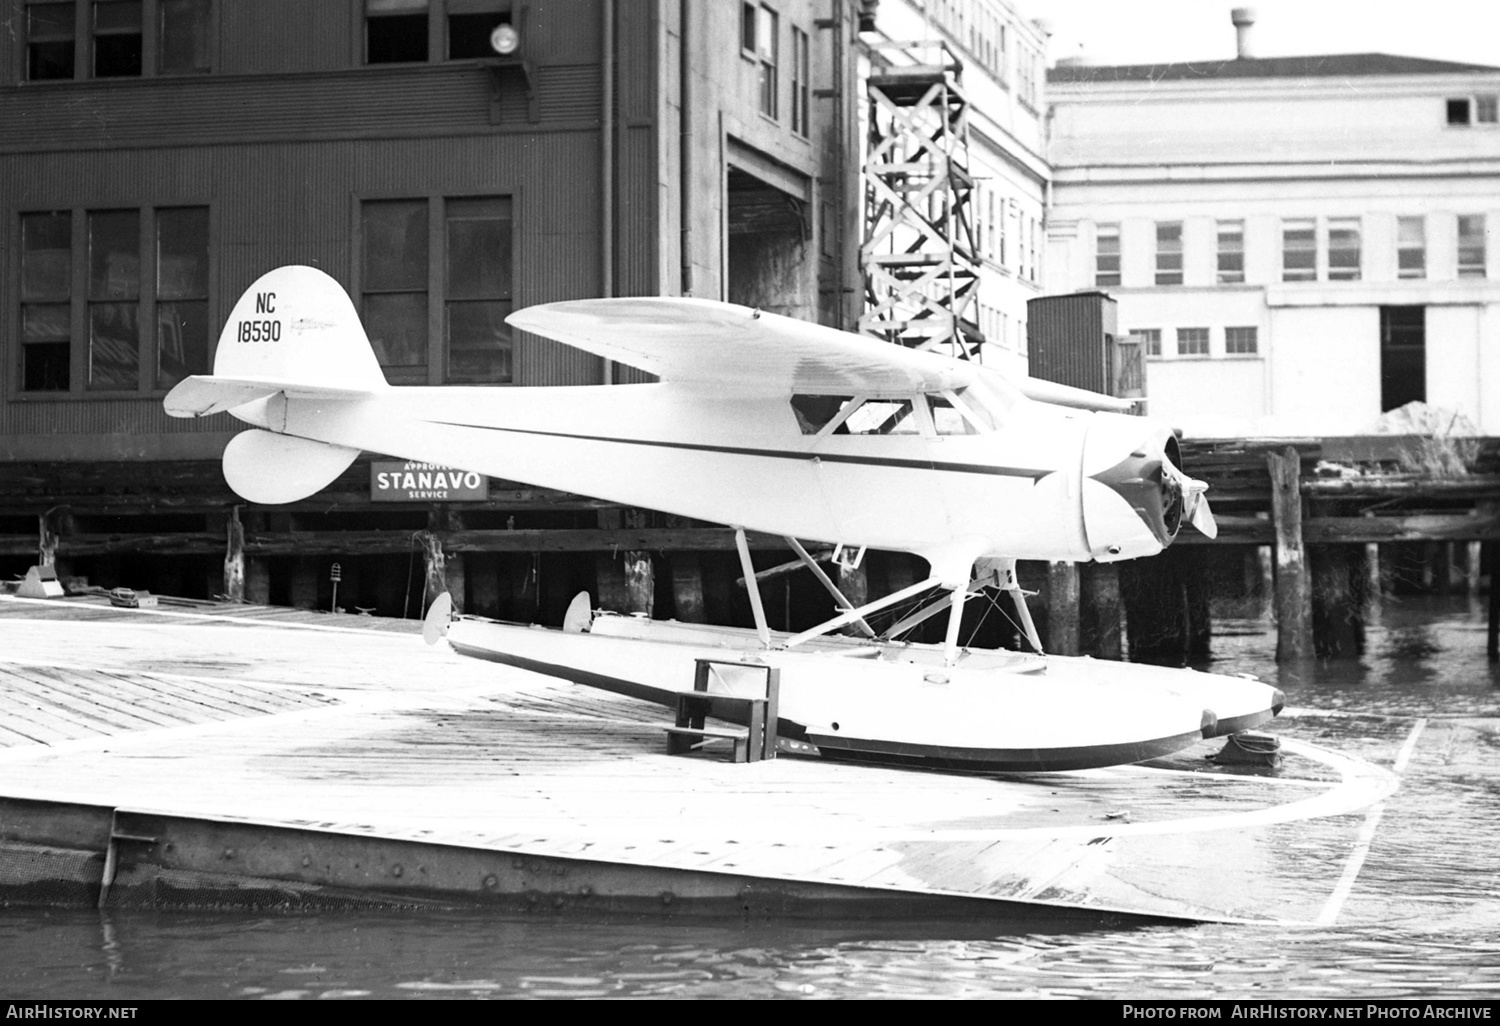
point(401, 287)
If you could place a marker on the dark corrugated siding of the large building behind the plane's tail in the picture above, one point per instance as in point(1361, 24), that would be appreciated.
point(284, 160)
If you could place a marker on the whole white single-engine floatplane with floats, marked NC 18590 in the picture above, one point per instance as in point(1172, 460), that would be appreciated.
point(775, 425)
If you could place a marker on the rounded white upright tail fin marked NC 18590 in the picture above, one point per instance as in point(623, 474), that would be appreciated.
point(296, 325)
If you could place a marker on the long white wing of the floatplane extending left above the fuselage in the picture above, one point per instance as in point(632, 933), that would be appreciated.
point(736, 347)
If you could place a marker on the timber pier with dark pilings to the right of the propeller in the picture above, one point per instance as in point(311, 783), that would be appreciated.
point(1321, 527)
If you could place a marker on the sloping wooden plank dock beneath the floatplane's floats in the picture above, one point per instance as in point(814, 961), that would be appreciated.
point(247, 755)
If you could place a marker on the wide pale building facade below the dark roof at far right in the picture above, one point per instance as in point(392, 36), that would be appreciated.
point(1304, 242)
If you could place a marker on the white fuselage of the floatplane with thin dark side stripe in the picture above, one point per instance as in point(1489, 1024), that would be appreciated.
point(742, 461)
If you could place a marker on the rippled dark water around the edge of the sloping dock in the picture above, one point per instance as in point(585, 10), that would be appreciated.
point(1423, 919)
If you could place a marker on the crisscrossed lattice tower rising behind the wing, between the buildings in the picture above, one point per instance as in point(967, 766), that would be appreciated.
point(920, 259)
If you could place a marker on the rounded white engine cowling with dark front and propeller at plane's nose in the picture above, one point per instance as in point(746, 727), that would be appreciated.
point(1136, 497)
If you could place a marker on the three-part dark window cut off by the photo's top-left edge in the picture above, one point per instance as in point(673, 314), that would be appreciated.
point(116, 38)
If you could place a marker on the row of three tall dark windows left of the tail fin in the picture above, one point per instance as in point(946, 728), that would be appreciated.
point(85, 290)
